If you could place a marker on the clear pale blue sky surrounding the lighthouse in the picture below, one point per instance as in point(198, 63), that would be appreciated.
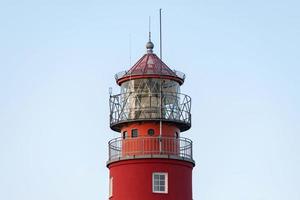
point(58, 59)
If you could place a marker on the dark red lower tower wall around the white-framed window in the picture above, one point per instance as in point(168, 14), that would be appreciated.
point(132, 179)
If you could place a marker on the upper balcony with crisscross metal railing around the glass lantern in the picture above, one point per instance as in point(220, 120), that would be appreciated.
point(134, 106)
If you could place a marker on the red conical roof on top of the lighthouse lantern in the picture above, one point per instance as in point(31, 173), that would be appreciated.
point(150, 66)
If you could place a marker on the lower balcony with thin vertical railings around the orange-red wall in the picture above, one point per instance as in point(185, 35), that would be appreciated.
point(150, 147)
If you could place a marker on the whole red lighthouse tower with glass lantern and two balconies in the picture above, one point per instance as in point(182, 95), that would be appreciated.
point(150, 160)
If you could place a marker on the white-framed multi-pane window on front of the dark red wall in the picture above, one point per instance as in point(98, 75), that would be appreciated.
point(160, 182)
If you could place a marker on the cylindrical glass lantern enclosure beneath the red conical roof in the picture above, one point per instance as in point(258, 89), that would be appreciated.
point(142, 99)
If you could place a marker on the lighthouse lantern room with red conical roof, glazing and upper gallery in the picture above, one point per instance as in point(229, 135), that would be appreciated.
point(150, 90)
